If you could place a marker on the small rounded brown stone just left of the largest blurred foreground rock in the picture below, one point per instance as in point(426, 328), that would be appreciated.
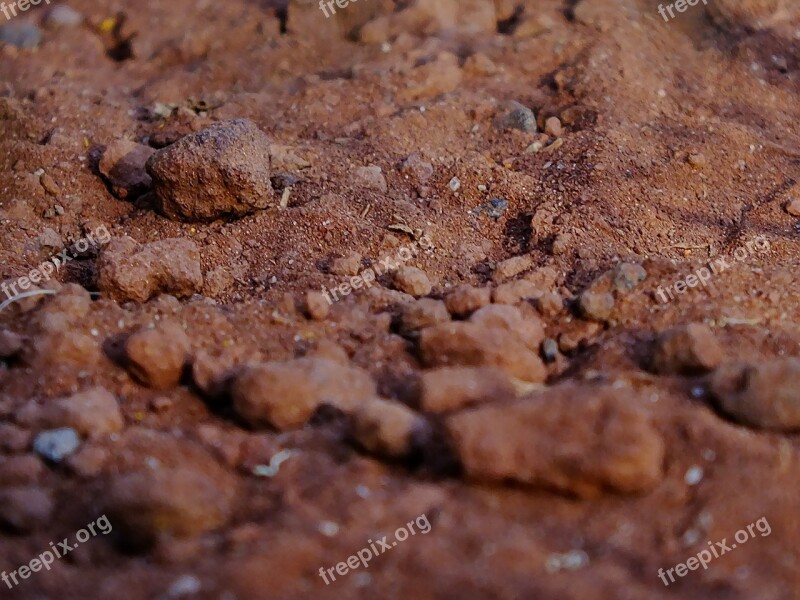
point(389, 428)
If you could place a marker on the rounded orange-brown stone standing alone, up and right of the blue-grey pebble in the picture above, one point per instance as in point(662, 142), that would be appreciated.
point(156, 357)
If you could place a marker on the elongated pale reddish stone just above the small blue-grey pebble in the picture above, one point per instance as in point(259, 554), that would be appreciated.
point(92, 412)
